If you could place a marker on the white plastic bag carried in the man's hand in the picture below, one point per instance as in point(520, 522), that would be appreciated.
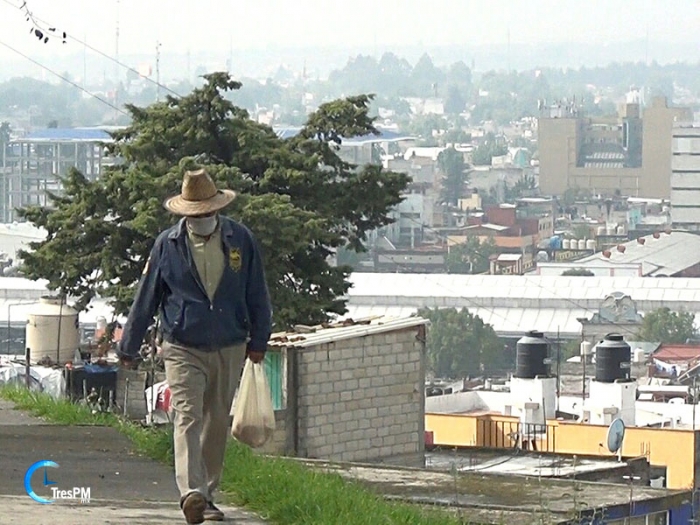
point(253, 415)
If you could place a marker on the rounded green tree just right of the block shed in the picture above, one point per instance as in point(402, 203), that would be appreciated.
point(460, 344)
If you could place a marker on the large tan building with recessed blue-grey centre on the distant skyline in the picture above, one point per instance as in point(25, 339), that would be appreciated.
point(630, 153)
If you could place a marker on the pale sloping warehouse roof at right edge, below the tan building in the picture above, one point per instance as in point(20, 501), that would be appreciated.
point(667, 255)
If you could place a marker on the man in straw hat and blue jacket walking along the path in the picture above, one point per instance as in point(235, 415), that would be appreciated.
point(205, 277)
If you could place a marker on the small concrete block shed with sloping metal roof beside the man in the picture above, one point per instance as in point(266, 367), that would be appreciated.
point(353, 391)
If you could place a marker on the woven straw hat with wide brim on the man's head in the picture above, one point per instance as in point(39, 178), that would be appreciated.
point(199, 196)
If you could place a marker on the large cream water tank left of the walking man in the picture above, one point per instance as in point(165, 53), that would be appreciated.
point(48, 321)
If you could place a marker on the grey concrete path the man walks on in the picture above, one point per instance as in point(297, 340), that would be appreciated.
point(124, 488)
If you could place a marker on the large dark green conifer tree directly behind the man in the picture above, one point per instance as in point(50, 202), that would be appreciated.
point(298, 197)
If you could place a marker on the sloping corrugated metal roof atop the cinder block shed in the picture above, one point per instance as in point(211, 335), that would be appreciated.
point(359, 328)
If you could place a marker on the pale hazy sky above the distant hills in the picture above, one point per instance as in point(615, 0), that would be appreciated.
point(216, 24)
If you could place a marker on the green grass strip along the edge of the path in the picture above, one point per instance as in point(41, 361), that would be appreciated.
point(281, 490)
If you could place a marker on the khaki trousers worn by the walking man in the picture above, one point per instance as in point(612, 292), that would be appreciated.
point(202, 385)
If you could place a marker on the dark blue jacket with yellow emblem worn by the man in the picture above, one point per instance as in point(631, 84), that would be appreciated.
point(171, 284)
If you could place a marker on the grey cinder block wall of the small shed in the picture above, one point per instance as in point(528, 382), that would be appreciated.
point(361, 399)
